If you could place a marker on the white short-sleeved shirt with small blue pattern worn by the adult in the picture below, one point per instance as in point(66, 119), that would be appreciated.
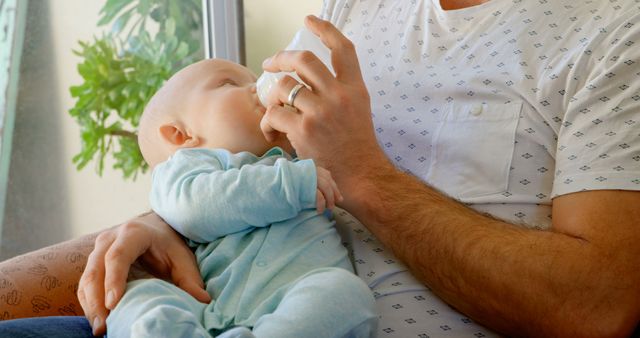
point(504, 106)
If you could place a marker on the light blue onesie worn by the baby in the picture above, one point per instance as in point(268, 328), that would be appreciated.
point(273, 266)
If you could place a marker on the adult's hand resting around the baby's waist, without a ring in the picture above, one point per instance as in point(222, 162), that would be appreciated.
point(159, 249)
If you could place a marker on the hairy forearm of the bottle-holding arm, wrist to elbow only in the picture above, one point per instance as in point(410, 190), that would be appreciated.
point(515, 280)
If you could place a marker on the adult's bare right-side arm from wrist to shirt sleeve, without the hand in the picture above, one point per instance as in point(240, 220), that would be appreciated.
point(579, 279)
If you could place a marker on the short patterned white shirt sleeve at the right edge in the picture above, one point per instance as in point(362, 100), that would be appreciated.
point(599, 140)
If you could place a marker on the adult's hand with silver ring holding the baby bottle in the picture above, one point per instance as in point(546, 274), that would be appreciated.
point(333, 122)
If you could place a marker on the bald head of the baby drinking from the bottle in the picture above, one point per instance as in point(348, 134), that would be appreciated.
point(209, 104)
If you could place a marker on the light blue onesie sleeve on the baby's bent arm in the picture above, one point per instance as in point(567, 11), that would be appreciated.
point(201, 198)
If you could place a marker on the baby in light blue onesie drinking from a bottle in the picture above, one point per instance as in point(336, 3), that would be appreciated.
point(272, 262)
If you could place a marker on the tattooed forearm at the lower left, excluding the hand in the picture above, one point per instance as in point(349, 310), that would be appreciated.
point(44, 282)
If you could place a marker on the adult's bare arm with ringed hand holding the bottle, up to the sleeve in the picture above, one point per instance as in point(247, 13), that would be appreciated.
point(578, 279)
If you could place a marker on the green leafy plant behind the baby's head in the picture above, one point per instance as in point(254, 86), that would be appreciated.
point(123, 69)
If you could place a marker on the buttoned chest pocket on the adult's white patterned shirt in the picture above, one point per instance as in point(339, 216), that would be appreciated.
point(472, 150)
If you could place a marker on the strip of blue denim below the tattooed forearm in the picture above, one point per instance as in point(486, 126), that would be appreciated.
point(49, 327)
